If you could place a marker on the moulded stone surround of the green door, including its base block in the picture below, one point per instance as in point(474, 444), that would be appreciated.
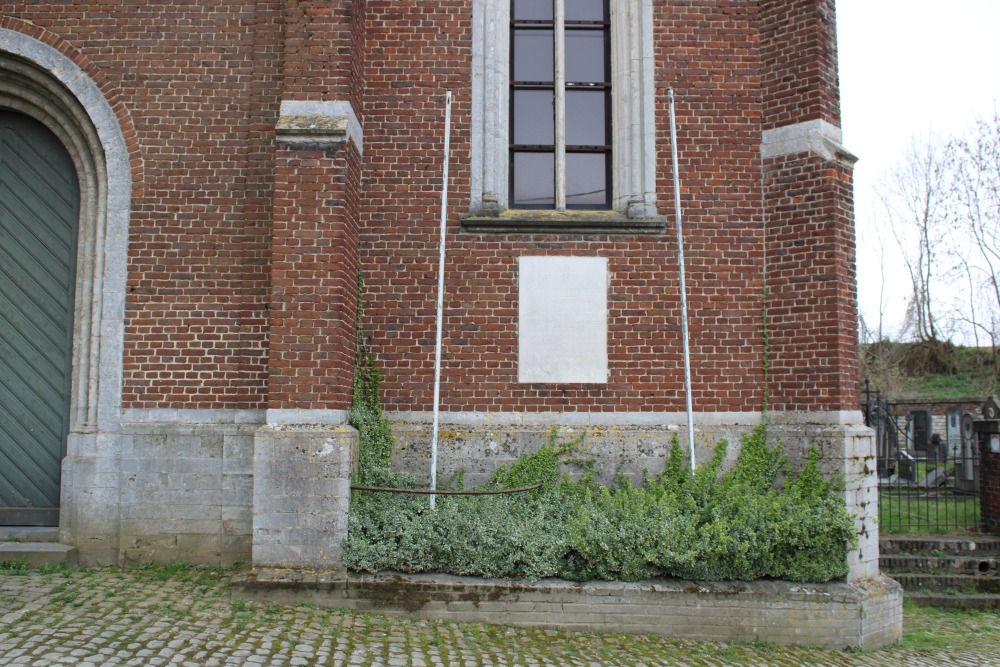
point(46, 84)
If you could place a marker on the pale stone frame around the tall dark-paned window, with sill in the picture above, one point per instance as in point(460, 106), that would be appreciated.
point(633, 128)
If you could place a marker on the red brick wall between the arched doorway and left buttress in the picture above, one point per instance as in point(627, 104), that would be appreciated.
point(197, 80)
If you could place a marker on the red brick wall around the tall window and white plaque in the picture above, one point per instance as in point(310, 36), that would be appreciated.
point(717, 84)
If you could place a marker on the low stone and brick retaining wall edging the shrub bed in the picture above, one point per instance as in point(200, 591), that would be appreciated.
point(866, 614)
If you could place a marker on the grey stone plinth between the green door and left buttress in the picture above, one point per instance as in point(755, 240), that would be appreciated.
point(166, 485)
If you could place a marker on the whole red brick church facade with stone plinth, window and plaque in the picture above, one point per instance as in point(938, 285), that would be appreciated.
point(240, 168)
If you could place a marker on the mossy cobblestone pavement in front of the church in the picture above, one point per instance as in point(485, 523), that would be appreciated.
point(91, 618)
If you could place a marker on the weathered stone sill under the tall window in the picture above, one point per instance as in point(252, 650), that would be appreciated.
point(532, 221)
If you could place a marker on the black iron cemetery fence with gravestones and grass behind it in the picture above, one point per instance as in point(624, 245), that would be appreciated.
point(928, 468)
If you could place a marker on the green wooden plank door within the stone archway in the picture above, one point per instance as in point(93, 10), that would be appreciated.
point(39, 209)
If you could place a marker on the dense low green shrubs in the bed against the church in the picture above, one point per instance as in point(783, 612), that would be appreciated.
point(710, 526)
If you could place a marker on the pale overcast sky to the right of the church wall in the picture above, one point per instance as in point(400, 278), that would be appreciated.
point(908, 68)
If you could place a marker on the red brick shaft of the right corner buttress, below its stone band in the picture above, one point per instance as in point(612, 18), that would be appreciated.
point(812, 311)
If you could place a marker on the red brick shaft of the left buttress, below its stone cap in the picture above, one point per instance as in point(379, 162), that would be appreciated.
point(314, 278)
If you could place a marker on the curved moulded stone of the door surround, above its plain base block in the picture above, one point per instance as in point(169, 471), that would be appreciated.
point(39, 81)
